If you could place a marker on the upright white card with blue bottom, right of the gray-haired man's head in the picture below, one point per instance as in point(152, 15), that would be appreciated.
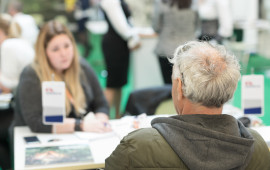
point(253, 94)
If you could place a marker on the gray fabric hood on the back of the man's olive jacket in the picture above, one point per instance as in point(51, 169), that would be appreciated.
point(209, 142)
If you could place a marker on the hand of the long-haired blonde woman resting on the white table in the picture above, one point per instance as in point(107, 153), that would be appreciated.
point(96, 123)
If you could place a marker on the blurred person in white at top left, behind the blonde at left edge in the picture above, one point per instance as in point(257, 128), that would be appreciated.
point(29, 29)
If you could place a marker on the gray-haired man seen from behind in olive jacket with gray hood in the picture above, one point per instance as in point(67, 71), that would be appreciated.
point(200, 136)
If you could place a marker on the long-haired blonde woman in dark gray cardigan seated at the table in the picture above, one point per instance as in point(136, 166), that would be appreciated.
point(56, 55)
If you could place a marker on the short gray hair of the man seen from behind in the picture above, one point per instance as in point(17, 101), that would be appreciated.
point(209, 73)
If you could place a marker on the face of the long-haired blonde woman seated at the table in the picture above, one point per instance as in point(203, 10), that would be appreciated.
point(60, 52)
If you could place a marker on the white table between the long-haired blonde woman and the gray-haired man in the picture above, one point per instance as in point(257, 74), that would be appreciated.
point(101, 145)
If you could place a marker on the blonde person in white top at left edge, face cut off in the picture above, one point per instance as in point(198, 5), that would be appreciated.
point(15, 54)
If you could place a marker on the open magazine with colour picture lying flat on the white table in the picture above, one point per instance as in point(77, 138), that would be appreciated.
point(50, 155)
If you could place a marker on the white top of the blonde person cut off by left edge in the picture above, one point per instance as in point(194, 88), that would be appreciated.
point(15, 55)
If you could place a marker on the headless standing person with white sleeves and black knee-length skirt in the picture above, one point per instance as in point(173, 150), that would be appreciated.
point(117, 43)
